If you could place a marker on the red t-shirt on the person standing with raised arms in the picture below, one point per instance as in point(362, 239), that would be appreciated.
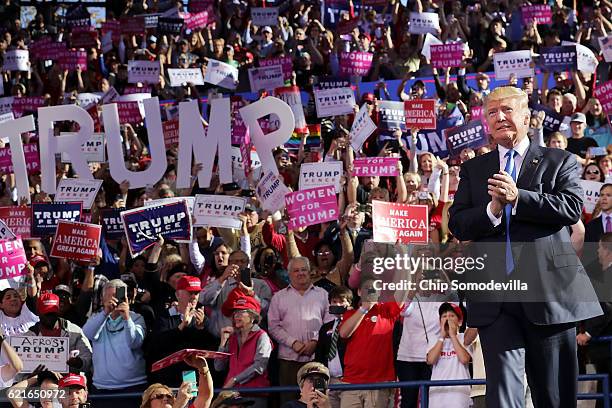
point(369, 351)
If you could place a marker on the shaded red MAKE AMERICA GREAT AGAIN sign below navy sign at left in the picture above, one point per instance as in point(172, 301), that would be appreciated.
point(76, 240)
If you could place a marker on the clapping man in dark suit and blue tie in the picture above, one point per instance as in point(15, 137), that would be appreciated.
point(519, 217)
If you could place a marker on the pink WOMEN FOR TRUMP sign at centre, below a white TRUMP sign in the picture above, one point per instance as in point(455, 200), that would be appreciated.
point(311, 207)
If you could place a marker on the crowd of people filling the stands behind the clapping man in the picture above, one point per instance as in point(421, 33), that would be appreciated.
point(301, 314)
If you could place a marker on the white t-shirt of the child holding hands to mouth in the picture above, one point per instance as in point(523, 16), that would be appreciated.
point(448, 367)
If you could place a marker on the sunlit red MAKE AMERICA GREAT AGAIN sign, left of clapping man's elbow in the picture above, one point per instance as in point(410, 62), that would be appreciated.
point(395, 222)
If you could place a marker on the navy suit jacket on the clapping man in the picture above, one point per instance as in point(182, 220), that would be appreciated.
point(549, 200)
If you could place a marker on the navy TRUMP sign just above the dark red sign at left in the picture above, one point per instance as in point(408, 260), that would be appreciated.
point(46, 216)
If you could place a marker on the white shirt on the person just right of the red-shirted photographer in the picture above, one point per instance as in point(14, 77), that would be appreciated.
point(413, 345)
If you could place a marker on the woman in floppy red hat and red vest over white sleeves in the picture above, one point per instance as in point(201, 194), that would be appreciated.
point(249, 345)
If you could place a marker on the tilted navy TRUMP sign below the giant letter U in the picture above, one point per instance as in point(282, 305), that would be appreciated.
point(143, 225)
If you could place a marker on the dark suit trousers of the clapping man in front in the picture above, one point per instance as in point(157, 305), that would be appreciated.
point(512, 345)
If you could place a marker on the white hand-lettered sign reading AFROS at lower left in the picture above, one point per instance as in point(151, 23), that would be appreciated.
point(53, 352)
